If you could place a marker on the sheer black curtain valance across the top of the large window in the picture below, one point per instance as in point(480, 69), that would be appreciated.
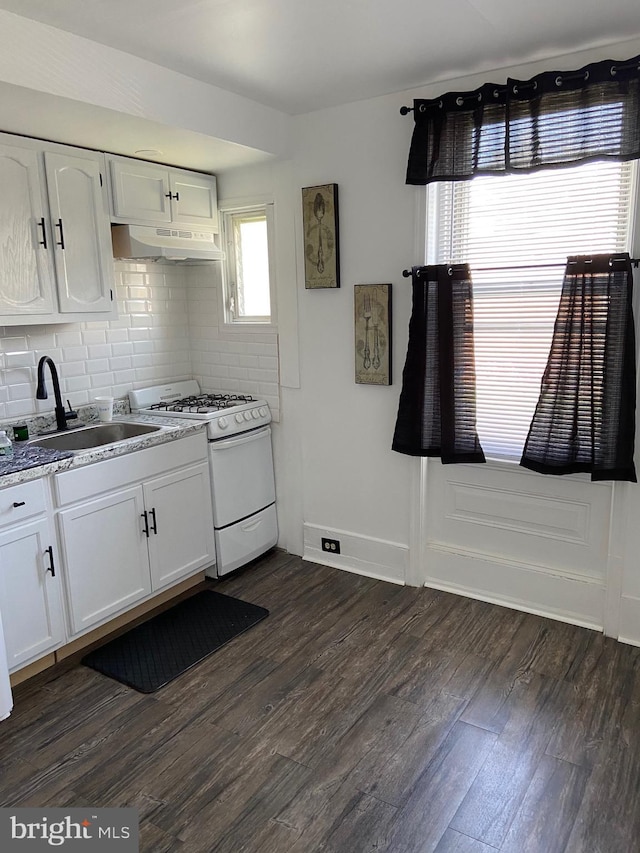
point(554, 119)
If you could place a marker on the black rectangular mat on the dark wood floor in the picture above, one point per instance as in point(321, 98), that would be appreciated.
point(154, 653)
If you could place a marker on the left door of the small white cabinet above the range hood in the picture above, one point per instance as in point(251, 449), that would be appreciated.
point(140, 191)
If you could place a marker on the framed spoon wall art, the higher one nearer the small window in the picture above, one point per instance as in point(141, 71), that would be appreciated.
point(321, 246)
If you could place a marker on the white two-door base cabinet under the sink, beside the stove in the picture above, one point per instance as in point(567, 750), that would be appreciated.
point(121, 547)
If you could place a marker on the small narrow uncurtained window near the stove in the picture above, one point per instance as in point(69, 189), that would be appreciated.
point(248, 280)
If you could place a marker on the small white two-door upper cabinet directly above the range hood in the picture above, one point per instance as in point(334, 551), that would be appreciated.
point(149, 194)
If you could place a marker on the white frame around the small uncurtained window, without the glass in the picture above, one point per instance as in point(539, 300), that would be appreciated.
point(228, 212)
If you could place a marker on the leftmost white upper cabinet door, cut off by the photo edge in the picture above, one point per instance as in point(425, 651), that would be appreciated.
point(26, 268)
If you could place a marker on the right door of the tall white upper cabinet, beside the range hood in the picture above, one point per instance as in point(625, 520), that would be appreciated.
point(82, 235)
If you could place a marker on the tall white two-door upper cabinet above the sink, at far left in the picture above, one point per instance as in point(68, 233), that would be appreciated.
point(56, 261)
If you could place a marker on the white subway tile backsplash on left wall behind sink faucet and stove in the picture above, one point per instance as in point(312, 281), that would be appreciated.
point(147, 344)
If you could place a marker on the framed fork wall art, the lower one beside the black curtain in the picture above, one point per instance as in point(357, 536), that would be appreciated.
point(372, 322)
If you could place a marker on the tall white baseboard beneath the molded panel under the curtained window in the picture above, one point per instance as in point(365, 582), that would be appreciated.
point(522, 586)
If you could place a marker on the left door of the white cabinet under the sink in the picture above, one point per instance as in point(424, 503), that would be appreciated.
point(105, 554)
